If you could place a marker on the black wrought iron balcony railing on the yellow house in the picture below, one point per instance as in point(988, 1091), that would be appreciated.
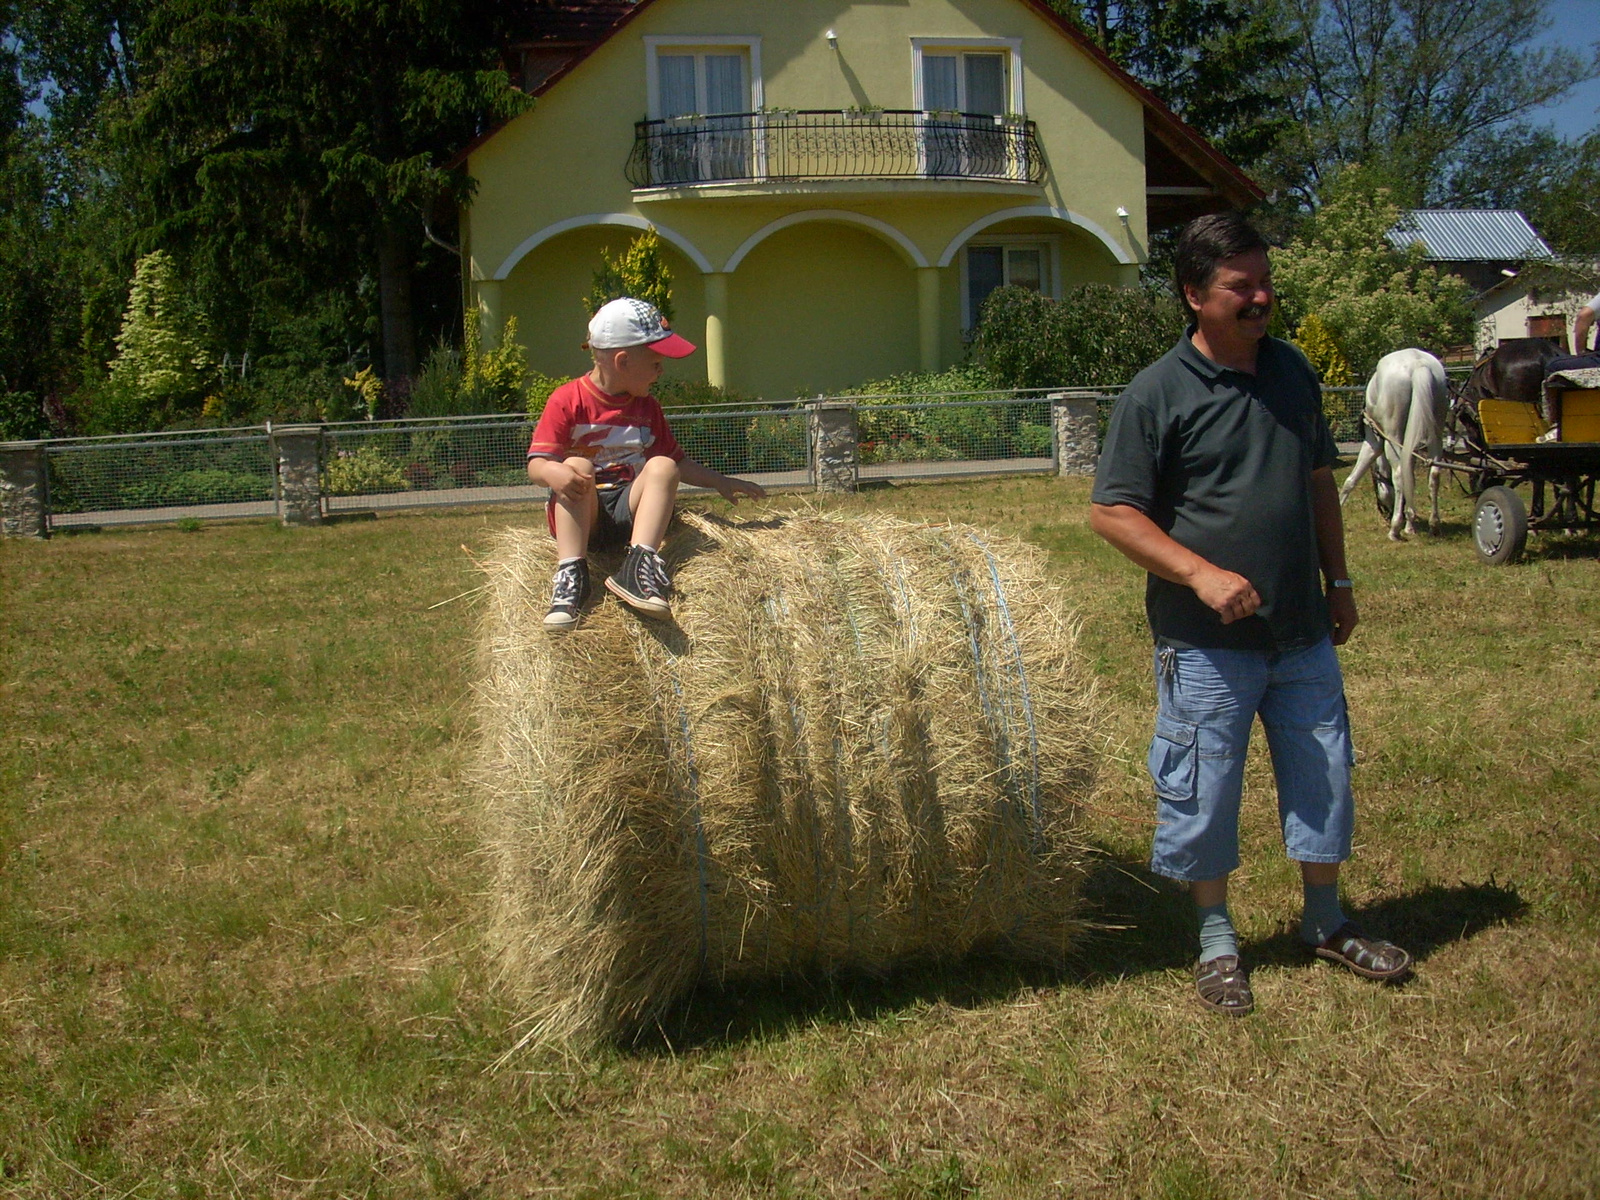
point(782, 146)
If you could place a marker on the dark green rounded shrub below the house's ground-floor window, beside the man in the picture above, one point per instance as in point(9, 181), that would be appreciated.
point(1095, 335)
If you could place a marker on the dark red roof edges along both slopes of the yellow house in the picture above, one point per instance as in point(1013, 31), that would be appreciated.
point(588, 25)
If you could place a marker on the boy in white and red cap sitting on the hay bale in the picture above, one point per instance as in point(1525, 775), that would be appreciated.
point(606, 452)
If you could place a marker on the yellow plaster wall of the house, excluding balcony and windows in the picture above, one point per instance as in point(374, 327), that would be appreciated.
point(564, 161)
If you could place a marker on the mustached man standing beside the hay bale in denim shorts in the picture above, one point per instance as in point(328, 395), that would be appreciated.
point(1217, 478)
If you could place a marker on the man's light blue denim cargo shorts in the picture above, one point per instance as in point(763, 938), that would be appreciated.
point(1209, 700)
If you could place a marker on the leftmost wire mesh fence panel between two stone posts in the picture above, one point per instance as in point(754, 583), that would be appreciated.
point(94, 481)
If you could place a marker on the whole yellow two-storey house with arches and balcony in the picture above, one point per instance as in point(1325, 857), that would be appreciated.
point(839, 183)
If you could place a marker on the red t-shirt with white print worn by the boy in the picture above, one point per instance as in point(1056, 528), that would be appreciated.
point(617, 433)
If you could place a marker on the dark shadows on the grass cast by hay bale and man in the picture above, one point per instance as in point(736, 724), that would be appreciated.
point(1137, 924)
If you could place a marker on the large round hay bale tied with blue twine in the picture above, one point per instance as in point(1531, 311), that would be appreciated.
point(862, 743)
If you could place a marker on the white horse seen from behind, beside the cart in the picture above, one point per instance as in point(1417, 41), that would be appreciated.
point(1407, 404)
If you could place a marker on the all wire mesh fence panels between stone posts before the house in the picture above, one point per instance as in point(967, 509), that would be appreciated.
point(482, 460)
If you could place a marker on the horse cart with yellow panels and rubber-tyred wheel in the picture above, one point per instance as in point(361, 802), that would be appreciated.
point(1498, 446)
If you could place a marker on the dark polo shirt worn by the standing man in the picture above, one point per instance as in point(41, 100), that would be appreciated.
point(1222, 462)
